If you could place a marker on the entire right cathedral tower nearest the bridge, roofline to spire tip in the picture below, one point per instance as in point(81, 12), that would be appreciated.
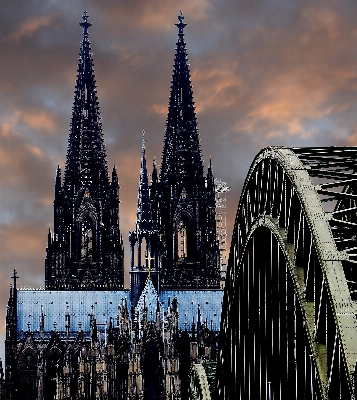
point(185, 197)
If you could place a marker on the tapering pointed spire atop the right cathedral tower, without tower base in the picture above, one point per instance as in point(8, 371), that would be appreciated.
point(181, 160)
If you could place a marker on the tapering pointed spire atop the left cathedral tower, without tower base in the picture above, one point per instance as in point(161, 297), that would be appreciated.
point(86, 165)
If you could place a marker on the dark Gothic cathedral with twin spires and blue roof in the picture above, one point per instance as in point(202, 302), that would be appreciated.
point(84, 336)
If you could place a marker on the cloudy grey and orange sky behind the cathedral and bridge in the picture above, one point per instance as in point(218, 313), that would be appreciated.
point(263, 73)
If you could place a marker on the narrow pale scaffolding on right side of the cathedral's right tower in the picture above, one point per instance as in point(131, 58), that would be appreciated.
point(221, 189)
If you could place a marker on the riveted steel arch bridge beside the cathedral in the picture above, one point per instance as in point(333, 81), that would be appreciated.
point(289, 328)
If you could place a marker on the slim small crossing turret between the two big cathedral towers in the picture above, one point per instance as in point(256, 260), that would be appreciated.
point(144, 240)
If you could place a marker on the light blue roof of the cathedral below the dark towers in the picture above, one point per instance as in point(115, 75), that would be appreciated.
point(104, 304)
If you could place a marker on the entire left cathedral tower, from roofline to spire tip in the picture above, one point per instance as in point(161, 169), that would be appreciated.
point(85, 251)
